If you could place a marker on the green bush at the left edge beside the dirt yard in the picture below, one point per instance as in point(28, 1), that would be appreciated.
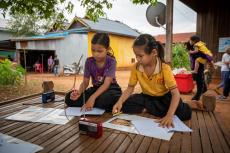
point(11, 73)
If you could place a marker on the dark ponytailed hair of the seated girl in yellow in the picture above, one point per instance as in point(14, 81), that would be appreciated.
point(149, 43)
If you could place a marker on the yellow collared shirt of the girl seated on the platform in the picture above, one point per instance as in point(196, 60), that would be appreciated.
point(158, 84)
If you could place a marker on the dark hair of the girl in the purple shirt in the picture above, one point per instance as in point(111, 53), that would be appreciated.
point(103, 39)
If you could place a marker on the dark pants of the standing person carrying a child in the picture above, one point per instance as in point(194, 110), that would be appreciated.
point(200, 83)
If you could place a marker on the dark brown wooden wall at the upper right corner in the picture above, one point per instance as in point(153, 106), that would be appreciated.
point(213, 22)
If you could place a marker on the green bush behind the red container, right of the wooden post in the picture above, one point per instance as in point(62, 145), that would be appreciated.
point(180, 56)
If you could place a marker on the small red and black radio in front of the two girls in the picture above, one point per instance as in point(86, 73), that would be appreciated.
point(90, 128)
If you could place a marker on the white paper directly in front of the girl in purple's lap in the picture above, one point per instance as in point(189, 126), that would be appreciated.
point(76, 111)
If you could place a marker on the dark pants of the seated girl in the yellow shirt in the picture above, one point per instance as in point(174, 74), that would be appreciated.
point(158, 106)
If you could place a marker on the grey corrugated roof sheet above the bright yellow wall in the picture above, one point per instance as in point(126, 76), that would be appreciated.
point(110, 26)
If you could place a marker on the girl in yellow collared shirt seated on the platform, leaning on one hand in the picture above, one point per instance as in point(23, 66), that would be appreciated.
point(160, 95)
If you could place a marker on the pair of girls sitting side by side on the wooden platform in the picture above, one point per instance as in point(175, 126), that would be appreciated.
point(159, 96)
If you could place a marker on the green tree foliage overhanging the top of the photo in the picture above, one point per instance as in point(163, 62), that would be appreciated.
point(32, 17)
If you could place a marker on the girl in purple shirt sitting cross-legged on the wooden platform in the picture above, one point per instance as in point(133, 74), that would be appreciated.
point(101, 68)
